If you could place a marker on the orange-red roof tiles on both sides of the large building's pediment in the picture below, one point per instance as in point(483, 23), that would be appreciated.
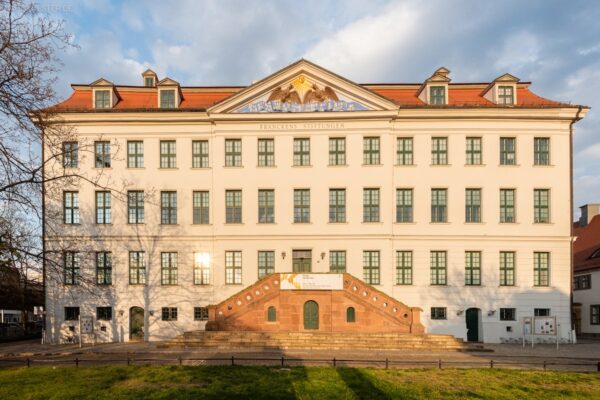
point(142, 98)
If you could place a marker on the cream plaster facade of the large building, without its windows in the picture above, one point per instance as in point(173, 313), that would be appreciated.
point(383, 120)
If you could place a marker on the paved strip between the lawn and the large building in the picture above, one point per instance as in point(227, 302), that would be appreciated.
point(580, 357)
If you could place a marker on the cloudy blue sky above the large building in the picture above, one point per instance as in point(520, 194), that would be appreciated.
point(554, 44)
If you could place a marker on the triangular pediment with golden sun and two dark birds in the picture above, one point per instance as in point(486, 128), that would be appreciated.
point(303, 87)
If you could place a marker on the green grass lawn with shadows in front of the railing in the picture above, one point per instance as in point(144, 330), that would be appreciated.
point(172, 382)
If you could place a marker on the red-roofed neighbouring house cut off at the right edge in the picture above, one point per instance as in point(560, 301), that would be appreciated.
point(586, 272)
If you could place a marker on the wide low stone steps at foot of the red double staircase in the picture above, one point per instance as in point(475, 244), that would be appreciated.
point(319, 340)
